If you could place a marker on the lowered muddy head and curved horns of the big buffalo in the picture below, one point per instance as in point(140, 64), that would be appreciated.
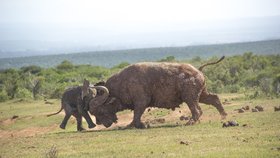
point(104, 107)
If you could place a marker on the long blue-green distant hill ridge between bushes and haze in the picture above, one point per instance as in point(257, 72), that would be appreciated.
point(112, 58)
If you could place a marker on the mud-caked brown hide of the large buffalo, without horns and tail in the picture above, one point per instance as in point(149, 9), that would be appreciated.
point(163, 85)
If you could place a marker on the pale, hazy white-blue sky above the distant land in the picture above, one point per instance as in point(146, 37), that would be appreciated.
point(108, 22)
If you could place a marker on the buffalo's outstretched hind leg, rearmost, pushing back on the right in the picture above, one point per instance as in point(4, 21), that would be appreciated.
point(212, 99)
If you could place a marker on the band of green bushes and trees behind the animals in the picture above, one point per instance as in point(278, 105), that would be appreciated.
point(251, 74)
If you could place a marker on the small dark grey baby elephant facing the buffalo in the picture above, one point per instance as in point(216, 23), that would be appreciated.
point(75, 102)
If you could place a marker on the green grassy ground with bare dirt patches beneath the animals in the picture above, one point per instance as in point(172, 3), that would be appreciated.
point(25, 131)
